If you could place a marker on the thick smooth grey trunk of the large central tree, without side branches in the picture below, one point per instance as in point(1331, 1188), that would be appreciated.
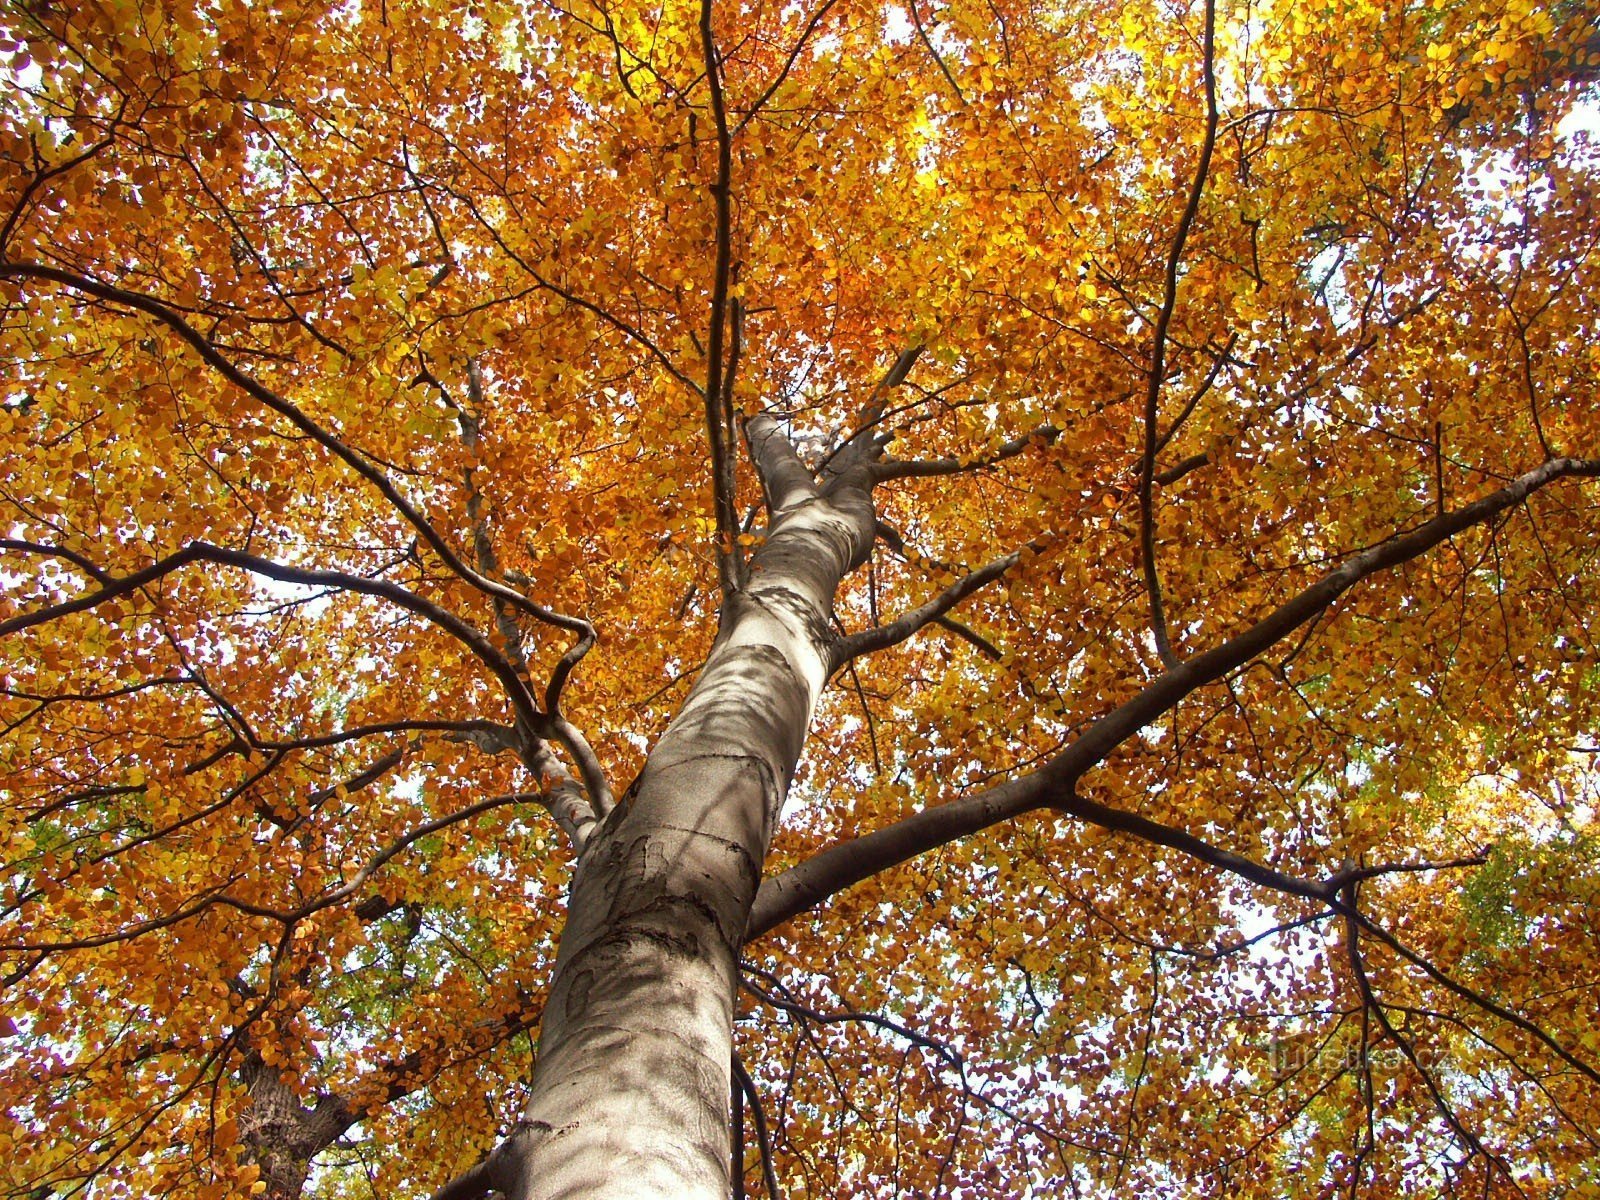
point(631, 1090)
